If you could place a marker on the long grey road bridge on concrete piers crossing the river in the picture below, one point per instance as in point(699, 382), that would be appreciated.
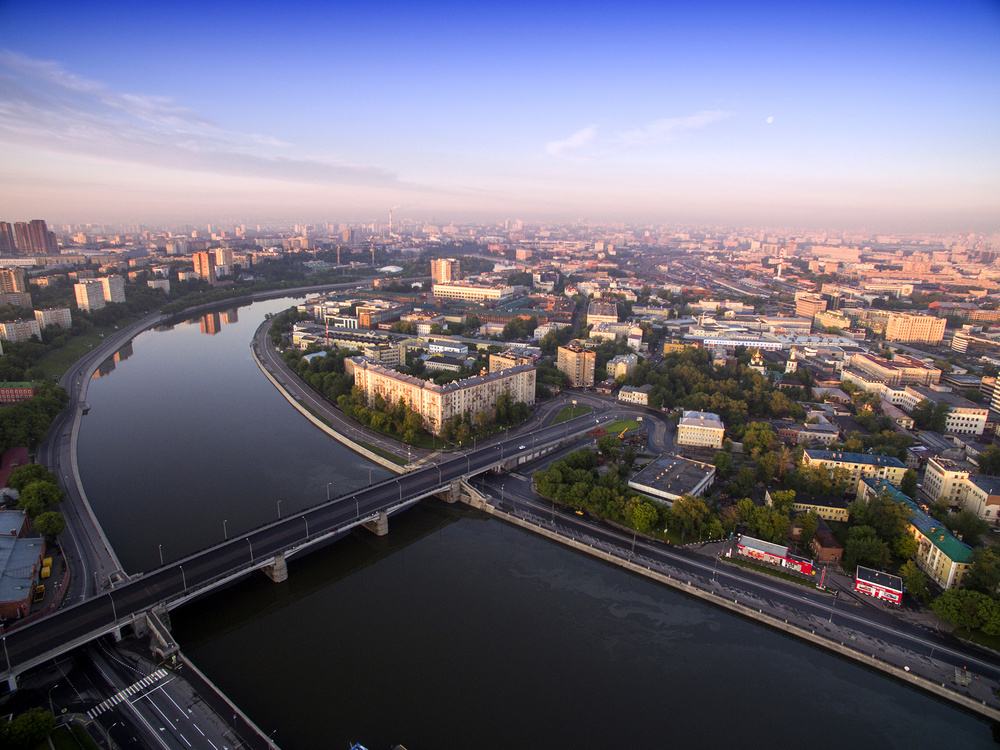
point(135, 602)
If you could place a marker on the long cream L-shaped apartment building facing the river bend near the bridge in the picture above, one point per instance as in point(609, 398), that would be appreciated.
point(438, 403)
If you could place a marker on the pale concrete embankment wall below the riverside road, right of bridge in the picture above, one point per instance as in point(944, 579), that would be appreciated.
point(867, 660)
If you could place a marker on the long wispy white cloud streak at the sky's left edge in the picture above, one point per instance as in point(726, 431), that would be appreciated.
point(47, 109)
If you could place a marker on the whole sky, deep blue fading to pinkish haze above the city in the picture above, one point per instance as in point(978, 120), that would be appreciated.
point(877, 114)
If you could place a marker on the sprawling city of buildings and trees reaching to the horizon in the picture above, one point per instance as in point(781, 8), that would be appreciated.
point(831, 398)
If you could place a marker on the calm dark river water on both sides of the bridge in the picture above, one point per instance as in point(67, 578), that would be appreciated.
point(455, 631)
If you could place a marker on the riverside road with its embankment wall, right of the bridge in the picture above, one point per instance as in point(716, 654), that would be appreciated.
point(980, 697)
